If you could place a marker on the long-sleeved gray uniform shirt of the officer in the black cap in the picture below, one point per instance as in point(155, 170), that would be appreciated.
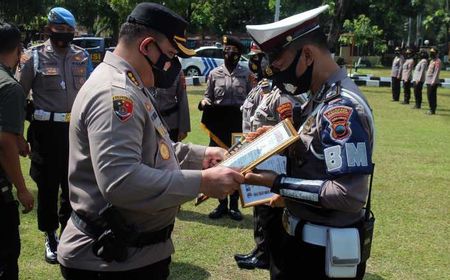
point(120, 152)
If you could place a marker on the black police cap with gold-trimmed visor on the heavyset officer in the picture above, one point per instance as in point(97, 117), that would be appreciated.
point(165, 21)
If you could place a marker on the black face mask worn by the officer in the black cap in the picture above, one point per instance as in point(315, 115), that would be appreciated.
point(165, 70)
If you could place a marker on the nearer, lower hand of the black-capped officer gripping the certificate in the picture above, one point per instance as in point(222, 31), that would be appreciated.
point(218, 182)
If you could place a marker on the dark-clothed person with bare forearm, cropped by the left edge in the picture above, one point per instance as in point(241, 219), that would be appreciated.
point(12, 143)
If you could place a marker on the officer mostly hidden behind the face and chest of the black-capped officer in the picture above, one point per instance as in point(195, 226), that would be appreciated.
point(174, 108)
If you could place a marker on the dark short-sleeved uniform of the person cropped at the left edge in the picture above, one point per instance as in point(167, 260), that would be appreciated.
point(12, 117)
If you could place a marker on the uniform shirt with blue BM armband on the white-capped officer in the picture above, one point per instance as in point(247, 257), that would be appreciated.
point(329, 167)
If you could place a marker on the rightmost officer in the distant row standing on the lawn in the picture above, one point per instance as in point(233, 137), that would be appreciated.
point(432, 80)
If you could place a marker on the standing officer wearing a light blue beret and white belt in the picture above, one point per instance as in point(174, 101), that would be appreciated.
point(54, 71)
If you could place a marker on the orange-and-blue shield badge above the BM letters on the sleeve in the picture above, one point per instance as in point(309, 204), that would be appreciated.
point(338, 118)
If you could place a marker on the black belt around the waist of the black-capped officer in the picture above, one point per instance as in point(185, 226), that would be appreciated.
point(139, 239)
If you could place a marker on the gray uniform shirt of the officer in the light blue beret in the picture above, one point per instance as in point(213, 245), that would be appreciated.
point(55, 78)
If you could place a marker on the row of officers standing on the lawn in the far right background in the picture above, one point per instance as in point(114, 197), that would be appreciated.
point(416, 70)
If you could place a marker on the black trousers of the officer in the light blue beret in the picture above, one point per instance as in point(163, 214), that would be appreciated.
point(49, 167)
